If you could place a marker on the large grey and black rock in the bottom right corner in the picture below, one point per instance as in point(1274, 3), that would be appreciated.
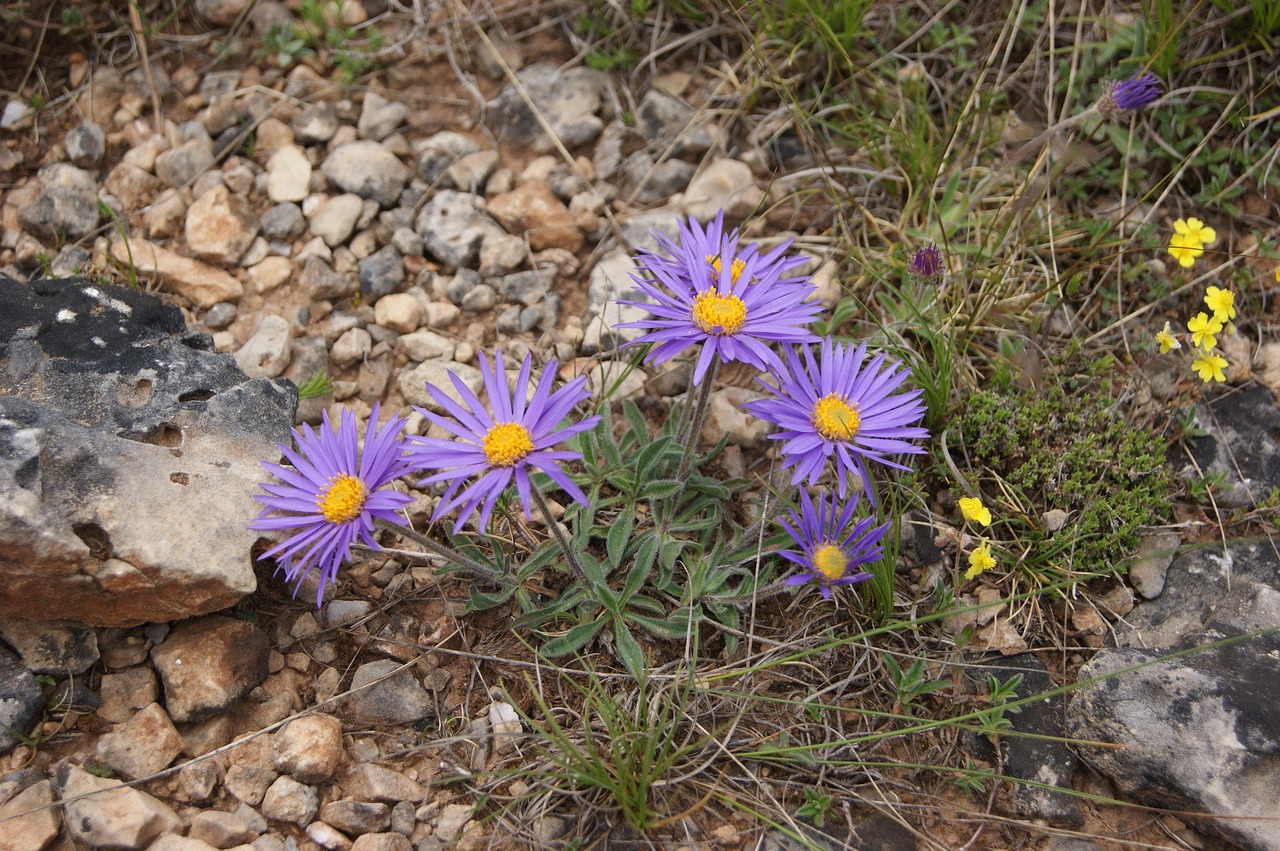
point(1199, 733)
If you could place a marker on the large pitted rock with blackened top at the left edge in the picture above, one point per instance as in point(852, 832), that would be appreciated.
point(102, 387)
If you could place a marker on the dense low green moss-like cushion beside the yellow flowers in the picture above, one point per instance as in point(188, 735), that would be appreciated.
point(1043, 451)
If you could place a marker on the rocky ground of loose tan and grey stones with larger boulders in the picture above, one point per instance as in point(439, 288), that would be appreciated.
point(385, 235)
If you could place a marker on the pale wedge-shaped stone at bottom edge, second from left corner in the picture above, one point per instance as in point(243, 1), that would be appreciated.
point(103, 813)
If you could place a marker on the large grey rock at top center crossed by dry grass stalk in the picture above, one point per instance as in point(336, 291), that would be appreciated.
point(568, 99)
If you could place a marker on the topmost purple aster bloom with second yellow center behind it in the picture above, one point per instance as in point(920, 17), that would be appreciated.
point(726, 296)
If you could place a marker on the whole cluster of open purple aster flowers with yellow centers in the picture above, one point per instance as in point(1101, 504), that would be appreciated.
point(836, 406)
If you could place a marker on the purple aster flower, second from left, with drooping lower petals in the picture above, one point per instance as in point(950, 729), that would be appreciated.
point(501, 447)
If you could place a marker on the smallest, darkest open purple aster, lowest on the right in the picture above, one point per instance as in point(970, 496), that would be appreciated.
point(833, 547)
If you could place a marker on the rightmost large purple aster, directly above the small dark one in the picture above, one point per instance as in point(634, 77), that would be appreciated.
point(840, 408)
